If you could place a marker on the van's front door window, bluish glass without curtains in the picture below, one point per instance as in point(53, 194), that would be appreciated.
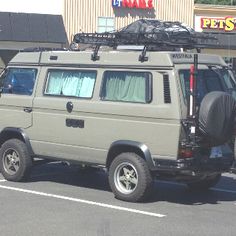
point(18, 81)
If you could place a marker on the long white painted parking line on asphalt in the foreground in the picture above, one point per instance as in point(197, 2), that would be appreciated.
point(83, 201)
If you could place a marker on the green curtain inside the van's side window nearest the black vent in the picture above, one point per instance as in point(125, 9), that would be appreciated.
point(121, 86)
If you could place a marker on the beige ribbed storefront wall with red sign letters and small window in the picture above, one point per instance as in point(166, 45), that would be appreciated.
point(108, 15)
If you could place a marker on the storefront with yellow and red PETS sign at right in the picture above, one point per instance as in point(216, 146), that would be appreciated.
point(220, 22)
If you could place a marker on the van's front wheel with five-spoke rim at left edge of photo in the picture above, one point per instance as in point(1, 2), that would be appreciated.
point(15, 161)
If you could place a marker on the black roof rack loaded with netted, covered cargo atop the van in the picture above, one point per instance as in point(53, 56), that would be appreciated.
point(154, 35)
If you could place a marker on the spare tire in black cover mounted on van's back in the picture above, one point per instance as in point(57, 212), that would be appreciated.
point(216, 117)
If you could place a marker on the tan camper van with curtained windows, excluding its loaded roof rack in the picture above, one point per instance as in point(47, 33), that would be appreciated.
point(134, 117)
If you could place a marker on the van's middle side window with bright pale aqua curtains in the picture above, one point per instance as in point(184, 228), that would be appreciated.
point(72, 83)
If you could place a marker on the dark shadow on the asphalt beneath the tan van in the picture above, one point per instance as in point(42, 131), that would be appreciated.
point(94, 178)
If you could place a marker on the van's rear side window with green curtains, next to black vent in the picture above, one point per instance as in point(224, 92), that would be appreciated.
point(127, 86)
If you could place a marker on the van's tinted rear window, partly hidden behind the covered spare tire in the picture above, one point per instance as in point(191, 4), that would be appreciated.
point(213, 78)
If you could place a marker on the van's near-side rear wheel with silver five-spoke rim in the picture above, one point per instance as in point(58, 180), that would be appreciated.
point(130, 178)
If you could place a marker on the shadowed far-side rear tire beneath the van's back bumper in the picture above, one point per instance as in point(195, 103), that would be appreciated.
point(204, 184)
